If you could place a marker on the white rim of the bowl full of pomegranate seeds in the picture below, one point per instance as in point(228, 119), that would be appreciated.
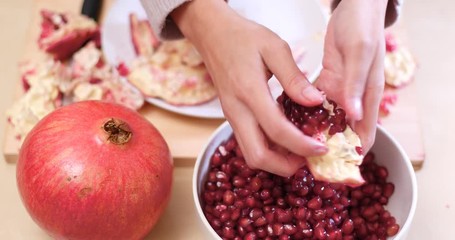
point(403, 229)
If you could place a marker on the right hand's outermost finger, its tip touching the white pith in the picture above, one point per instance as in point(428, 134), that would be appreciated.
point(366, 128)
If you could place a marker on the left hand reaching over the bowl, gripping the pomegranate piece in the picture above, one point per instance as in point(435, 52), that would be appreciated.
point(241, 56)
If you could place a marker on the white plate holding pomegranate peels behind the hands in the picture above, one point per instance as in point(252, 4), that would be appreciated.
point(301, 23)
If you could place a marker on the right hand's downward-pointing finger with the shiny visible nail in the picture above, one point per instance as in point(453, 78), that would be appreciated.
point(357, 66)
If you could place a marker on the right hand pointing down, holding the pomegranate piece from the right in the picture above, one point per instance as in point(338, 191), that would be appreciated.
point(353, 63)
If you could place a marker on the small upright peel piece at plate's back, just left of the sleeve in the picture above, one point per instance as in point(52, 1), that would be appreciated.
point(144, 39)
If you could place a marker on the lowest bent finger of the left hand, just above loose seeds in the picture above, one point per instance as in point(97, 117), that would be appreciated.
point(255, 147)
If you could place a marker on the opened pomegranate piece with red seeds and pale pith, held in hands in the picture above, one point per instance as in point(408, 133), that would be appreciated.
point(327, 123)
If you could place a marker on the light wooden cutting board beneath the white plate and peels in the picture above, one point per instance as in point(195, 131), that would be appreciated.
point(186, 136)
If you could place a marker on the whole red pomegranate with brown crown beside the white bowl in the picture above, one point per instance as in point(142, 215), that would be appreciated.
point(94, 170)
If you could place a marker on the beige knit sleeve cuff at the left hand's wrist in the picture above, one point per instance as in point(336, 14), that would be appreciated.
point(158, 12)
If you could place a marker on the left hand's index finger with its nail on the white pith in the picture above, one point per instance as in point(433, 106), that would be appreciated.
point(276, 126)
